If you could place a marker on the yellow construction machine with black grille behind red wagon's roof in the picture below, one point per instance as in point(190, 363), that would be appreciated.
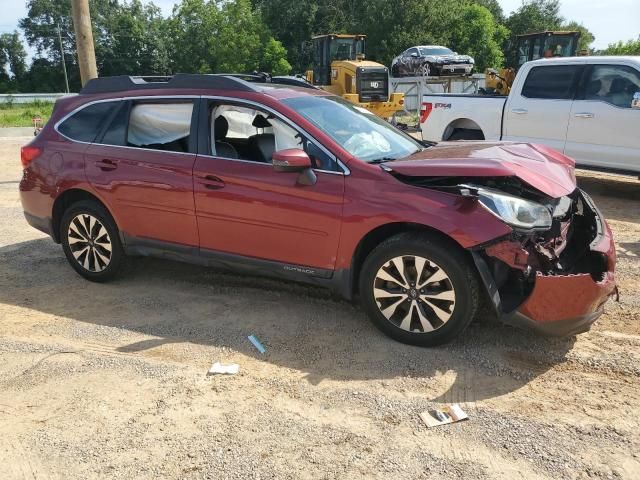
point(340, 67)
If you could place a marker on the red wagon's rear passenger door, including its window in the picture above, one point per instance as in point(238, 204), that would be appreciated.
point(142, 166)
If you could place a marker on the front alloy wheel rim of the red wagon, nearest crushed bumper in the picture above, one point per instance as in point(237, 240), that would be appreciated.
point(414, 294)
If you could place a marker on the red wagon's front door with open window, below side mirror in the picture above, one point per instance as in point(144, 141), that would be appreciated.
point(244, 207)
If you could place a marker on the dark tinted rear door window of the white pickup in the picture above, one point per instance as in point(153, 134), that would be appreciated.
point(552, 82)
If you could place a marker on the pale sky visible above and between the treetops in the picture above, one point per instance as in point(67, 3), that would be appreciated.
point(609, 21)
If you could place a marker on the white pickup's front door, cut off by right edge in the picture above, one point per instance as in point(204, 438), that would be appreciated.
point(604, 128)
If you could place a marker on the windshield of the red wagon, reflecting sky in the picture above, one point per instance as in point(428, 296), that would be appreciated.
point(357, 130)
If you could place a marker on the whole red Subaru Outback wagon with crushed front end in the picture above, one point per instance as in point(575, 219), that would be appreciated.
point(300, 184)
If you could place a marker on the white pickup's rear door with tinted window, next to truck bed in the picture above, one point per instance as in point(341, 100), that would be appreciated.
point(538, 110)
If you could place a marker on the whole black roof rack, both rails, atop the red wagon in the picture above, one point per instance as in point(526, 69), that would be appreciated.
point(241, 82)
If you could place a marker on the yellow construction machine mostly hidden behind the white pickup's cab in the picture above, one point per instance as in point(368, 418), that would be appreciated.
point(530, 46)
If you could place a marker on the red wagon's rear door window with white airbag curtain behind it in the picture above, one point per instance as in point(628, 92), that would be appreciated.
point(160, 126)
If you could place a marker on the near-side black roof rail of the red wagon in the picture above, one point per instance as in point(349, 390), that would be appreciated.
point(180, 80)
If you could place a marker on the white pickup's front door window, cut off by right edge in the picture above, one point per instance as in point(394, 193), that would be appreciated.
point(613, 84)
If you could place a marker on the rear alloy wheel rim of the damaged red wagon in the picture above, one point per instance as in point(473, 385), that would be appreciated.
point(89, 242)
